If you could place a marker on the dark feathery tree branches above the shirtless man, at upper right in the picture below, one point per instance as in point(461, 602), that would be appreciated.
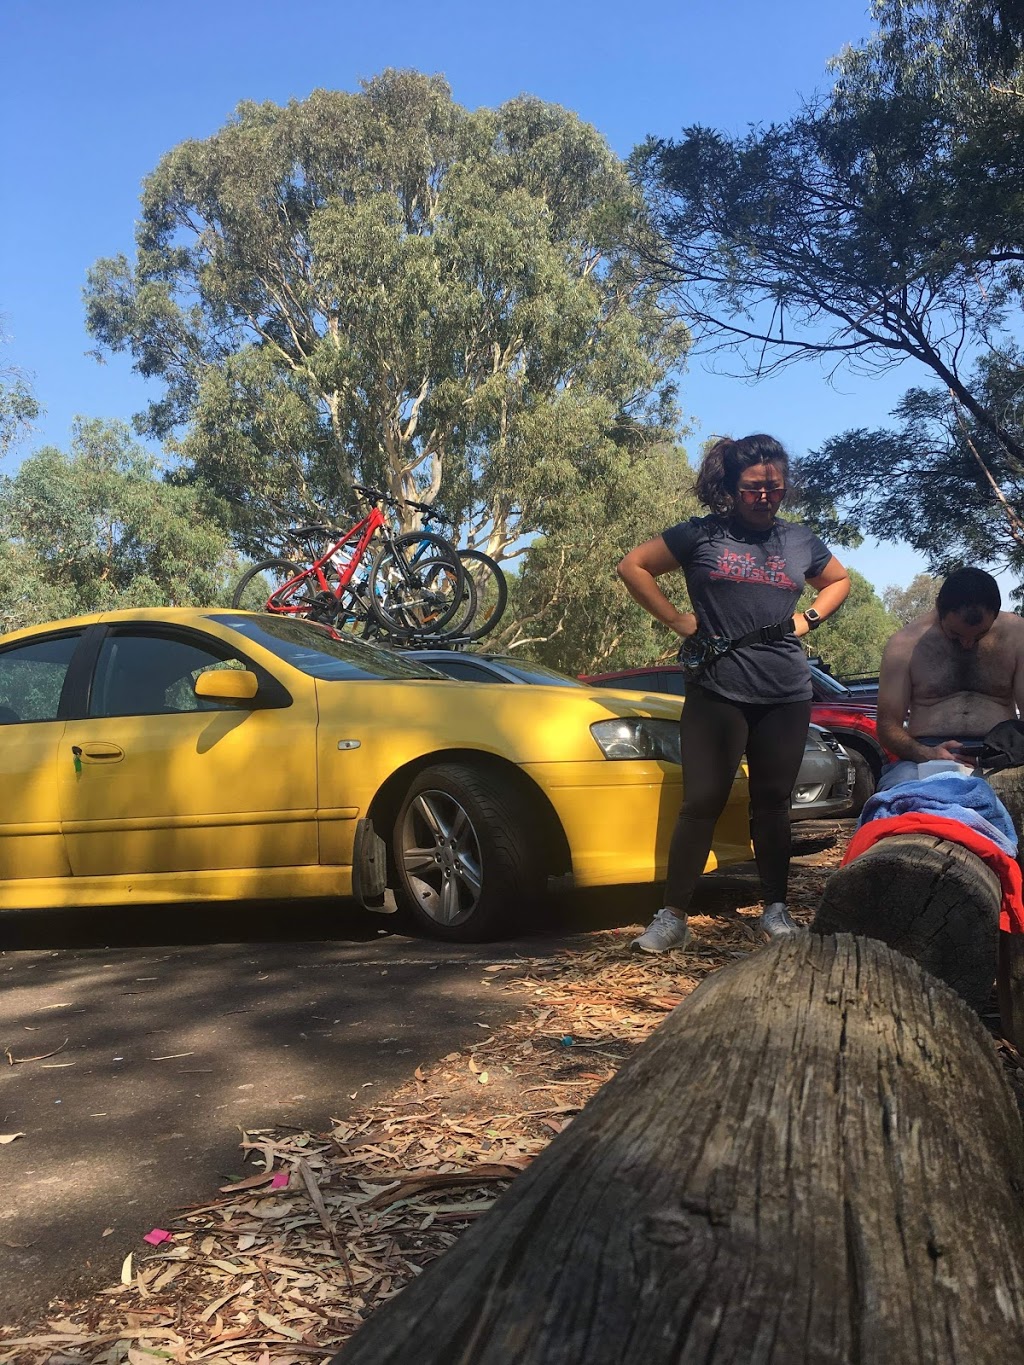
point(883, 223)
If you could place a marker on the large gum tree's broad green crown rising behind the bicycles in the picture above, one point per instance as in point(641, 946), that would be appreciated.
point(387, 287)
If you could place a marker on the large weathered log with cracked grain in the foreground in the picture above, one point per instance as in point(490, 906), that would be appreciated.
point(816, 1160)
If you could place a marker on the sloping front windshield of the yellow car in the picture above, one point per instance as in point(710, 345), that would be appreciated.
point(322, 653)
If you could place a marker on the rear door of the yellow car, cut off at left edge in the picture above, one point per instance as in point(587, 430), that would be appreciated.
point(33, 675)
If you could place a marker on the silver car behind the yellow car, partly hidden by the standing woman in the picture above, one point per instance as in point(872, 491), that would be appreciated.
point(825, 781)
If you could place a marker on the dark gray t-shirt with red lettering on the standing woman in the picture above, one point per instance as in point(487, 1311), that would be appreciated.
point(739, 581)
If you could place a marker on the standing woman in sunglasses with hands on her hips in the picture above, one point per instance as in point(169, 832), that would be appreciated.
point(745, 570)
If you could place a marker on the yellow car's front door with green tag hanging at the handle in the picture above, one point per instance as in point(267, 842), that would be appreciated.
point(155, 780)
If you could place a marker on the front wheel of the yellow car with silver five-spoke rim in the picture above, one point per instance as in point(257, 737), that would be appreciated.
point(466, 854)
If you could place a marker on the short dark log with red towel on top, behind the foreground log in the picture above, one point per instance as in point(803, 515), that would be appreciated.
point(932, 900)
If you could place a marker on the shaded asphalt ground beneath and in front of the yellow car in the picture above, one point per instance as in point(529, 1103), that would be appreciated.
point(136, 1046)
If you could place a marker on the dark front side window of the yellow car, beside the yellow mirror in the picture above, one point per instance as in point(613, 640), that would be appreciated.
point(155, 675)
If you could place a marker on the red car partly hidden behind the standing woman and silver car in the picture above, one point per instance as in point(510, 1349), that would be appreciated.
point(853, 723)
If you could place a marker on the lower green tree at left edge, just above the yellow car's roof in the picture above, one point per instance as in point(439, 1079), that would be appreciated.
point(99, 529)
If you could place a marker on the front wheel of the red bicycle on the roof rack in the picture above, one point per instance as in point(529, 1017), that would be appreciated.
point(416, 585)
